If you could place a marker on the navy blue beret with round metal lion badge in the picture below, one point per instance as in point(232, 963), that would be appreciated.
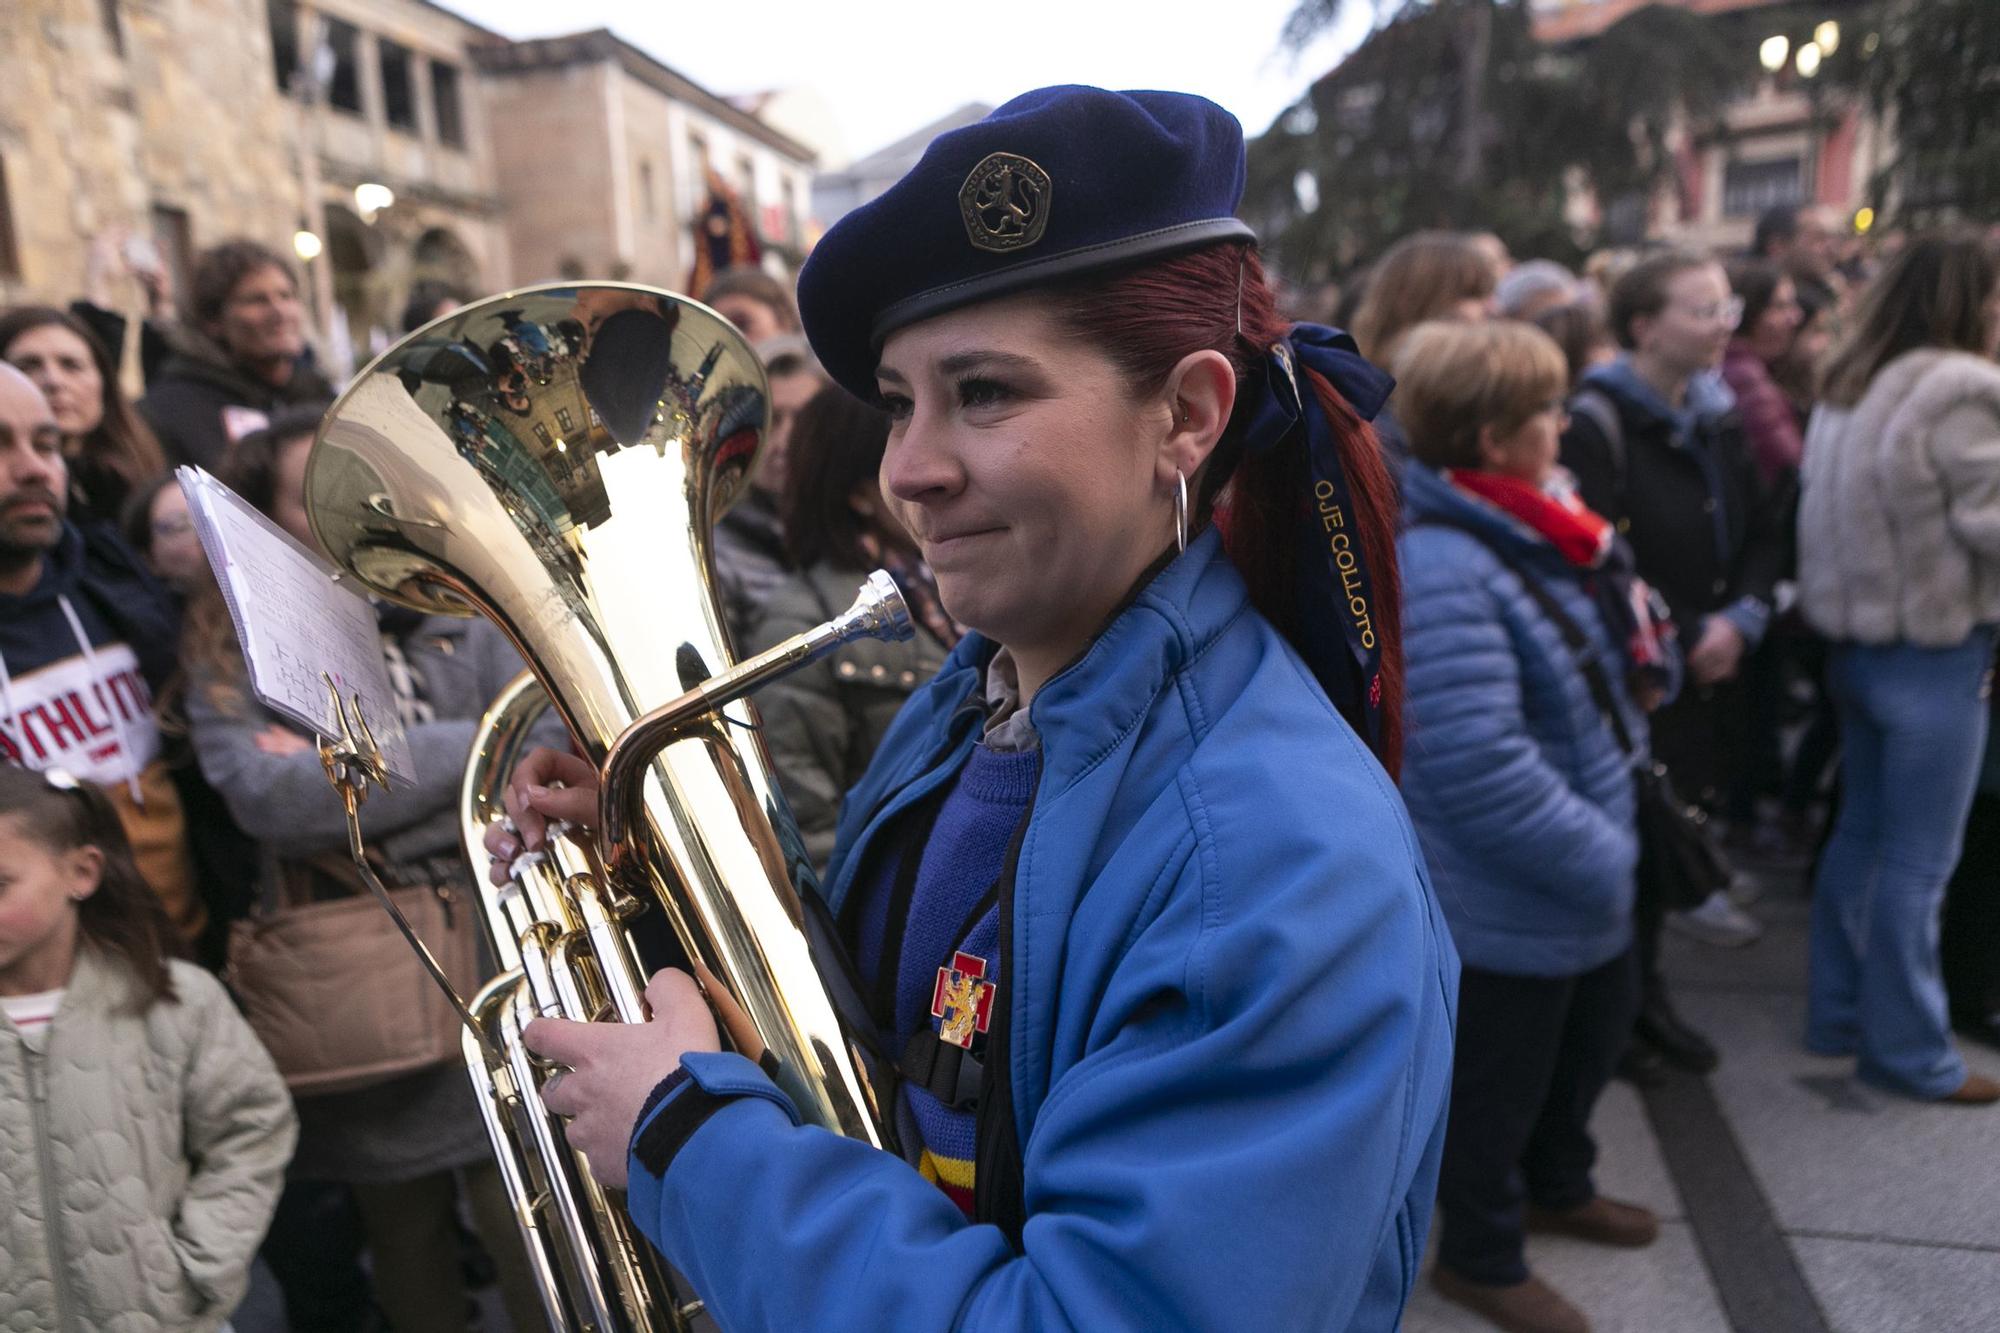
point(1055, 185)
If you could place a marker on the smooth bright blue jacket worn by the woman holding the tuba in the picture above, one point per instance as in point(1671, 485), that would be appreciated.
point(1231, 1004)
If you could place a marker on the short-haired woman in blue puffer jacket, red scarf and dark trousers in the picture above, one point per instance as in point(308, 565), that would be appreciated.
point(1523, 798)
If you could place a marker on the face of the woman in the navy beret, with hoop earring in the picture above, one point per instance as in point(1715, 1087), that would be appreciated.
point(1035, 485)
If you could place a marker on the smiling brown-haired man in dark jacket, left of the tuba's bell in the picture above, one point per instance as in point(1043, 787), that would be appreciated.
point(243, 359)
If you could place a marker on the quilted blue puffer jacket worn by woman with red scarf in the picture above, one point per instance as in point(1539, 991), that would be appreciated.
point(1515, 782)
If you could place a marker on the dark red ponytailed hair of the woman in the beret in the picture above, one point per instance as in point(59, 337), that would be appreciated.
point(1151, 317)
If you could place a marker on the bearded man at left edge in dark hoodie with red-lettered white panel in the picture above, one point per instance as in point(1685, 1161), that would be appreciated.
point(85, 641)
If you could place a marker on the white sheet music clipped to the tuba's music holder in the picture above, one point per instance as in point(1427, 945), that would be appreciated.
point(295, 621)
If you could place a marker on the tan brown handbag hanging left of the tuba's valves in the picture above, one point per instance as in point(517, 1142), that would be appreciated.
point(331, 986)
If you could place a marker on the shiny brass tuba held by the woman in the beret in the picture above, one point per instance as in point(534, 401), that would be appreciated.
point(555, 461)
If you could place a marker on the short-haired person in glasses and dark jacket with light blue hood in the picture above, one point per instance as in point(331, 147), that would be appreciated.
point(1657, 447)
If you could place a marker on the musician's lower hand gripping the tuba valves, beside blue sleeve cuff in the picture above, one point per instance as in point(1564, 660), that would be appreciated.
point(613, 1068)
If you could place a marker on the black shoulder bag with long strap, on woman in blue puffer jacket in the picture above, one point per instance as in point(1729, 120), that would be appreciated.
point(1679, 860)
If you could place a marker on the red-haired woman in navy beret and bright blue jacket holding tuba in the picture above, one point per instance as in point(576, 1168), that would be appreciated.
point(1129, 884)
